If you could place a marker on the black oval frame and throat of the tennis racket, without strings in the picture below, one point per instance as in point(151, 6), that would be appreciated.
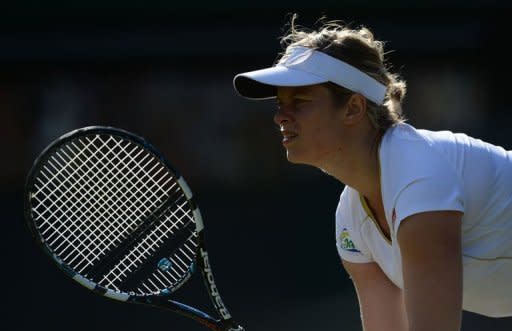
point(163, 298)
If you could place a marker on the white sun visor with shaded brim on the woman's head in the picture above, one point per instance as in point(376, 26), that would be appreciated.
point(301, 66)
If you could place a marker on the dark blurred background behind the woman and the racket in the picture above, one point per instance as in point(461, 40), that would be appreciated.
point(164, 70)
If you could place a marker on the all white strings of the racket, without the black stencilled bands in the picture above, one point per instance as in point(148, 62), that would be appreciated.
point(93, 192)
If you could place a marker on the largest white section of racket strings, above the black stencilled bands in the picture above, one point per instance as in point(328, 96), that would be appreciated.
point(96, 194)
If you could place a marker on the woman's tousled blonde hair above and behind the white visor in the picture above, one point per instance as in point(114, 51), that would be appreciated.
point(358, 48)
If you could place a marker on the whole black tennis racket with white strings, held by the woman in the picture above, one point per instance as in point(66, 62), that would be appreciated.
point(116, 217)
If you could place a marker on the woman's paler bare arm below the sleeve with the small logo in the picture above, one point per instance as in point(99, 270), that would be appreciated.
point(380, 301)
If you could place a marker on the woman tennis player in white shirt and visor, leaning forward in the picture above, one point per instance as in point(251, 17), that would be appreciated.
point(424, 223)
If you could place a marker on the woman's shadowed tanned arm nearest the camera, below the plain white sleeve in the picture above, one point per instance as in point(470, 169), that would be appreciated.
point(430, 246)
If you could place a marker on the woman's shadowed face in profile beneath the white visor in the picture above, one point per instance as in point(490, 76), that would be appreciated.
point(310, 123)
